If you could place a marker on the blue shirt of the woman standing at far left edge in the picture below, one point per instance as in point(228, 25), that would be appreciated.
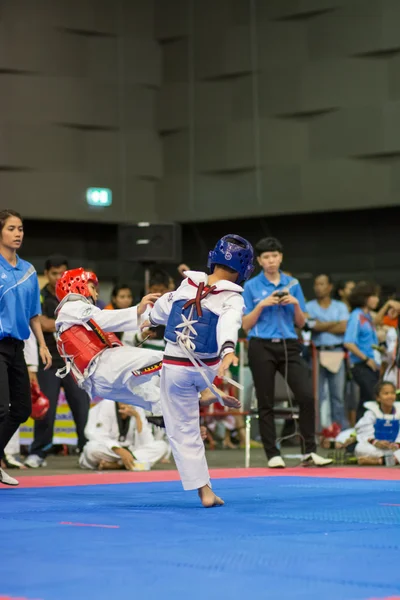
point(19, 298)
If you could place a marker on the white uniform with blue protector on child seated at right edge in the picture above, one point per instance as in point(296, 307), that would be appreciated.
point(376, 425)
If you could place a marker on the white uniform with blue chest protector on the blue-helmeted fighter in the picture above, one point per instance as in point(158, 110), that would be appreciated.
point(194, 344)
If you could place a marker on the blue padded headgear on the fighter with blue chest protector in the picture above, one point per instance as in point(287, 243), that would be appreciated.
point(238, 256)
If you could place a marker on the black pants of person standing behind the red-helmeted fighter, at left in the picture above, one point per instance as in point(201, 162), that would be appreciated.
point(79, 404)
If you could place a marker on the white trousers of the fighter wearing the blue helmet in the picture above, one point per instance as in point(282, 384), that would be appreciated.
point(180, 387)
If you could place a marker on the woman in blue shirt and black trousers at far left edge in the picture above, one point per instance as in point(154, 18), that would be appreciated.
point(19, 312)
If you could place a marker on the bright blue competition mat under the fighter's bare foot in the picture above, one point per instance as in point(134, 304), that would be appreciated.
point(276, 538)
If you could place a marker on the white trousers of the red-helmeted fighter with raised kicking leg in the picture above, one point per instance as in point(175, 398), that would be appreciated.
point(119, 377)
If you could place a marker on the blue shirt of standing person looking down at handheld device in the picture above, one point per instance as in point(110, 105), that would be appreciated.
point(275, 322)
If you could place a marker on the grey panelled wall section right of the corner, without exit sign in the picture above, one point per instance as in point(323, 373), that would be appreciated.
point(278, 106)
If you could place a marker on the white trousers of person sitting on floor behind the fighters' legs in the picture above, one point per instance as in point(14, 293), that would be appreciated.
point(94, 452)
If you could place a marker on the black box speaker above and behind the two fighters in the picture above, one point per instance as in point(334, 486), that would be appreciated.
point(147, 243)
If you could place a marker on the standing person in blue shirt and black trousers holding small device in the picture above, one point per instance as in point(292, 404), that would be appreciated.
point(274, 306)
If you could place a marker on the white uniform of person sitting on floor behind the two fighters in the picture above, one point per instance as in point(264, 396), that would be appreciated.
point(103, 435)
